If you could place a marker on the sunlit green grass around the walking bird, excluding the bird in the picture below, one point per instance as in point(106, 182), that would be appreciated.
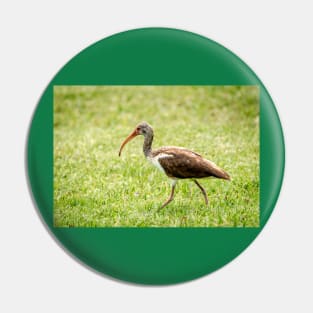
point(93, 187)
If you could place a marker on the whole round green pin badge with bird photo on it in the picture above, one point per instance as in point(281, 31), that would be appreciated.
point(155, 156)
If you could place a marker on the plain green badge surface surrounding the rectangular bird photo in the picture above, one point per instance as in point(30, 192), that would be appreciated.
point(154, 56)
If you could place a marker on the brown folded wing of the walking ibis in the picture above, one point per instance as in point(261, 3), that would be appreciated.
point(183, 163)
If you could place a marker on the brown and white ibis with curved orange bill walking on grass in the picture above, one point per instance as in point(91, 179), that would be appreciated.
point(176, 162)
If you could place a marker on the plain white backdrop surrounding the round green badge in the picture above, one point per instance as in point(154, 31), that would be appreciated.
point(274, 38)
